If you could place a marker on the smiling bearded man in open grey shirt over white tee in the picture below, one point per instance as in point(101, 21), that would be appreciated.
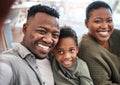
point(27, 63)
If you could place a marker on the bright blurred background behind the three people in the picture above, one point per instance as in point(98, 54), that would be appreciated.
point(72, 13)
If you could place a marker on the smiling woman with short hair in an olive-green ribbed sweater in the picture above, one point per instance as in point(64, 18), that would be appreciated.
point(100, 48)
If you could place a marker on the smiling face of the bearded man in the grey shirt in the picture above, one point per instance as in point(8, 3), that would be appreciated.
point(41, 34)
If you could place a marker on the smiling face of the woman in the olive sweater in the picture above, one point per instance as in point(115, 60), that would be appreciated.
point(100, 24)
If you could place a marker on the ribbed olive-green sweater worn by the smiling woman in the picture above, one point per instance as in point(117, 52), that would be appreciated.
point(103, 64)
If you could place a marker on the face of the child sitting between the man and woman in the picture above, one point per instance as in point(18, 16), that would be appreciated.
point(66, 51)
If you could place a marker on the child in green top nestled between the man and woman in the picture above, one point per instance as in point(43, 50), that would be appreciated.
point(68, 69)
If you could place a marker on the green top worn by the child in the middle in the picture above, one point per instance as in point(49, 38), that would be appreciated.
point(77, 74)
